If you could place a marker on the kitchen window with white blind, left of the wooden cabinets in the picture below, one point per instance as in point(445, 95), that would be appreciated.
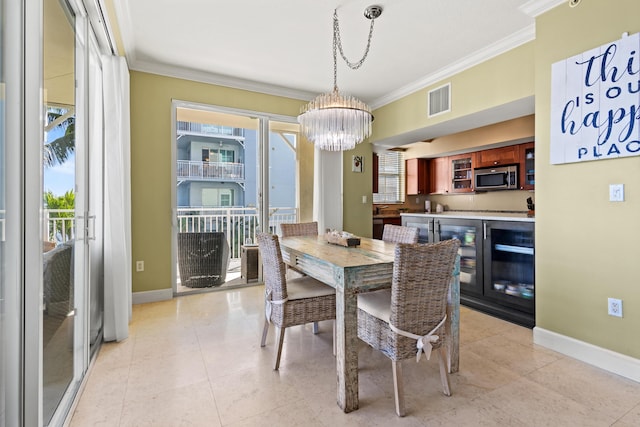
point(390, 178)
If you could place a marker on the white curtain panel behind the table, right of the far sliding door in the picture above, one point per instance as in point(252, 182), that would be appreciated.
point(327, 190)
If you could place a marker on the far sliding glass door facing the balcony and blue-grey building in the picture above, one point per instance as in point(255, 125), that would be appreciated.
point(236, 174)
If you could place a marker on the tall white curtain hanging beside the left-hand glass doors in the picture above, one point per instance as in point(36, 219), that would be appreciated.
point(117, 202)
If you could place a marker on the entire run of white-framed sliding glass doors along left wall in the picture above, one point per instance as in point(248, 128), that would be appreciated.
point(50, 207)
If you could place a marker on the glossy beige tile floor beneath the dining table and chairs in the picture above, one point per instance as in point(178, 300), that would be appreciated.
point(196, 361)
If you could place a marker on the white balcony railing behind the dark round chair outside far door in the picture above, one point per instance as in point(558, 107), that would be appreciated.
point(239, 224)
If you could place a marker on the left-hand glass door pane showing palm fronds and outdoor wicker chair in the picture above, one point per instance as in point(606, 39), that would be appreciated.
point(63, 250)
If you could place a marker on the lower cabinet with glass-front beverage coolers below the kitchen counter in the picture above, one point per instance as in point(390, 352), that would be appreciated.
point(496, 263)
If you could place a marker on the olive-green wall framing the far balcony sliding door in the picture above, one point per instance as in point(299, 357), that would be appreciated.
point(151, 147)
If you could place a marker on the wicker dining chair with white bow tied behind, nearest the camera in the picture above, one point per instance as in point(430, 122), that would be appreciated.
point(411, 315)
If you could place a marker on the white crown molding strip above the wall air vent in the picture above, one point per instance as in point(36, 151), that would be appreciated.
point(514, 40)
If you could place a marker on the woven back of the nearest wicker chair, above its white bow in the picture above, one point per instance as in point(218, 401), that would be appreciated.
point(422, 274)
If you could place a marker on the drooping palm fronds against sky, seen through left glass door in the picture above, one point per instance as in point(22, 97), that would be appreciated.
point(59, 150)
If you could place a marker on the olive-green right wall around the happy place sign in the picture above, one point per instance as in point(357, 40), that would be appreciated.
point(586, 246)
